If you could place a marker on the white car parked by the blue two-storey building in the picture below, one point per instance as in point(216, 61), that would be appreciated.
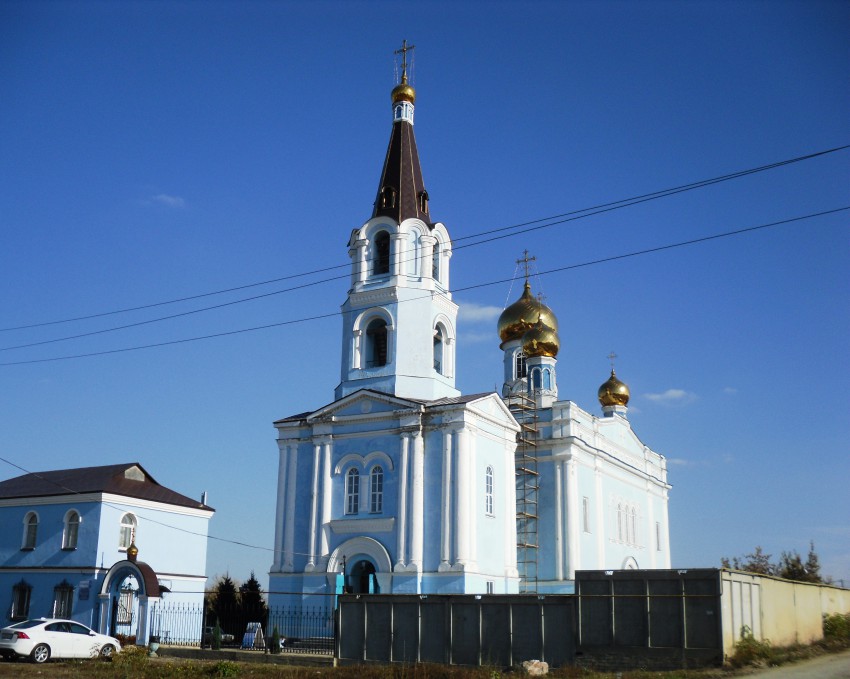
point(47, 638)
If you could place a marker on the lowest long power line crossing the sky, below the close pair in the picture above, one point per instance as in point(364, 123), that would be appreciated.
point(603, 260)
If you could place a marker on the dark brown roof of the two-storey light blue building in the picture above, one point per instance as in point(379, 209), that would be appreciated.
point(129, 479)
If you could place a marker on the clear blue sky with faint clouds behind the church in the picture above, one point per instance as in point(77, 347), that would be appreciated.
point(155, 151)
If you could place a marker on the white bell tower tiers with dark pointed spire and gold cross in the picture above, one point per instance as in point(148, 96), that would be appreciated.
point(399, 321)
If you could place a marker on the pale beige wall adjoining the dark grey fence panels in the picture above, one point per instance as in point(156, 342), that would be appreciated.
point(780, 611)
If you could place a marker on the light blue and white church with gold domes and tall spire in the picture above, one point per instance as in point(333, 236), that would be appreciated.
point(404, 485)
